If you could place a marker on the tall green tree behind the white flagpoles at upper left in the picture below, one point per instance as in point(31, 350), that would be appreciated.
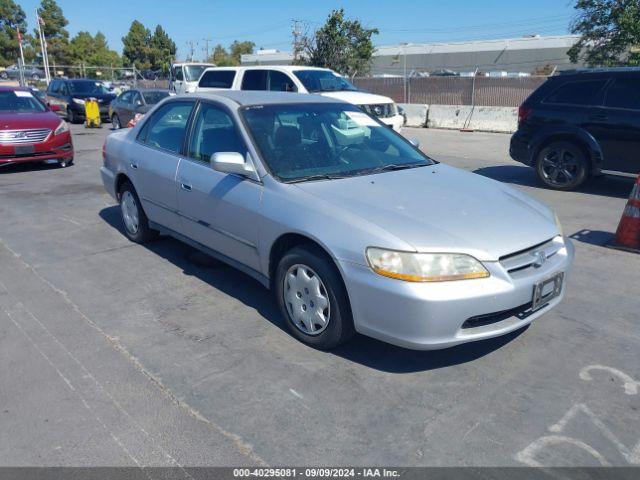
point(56, 36)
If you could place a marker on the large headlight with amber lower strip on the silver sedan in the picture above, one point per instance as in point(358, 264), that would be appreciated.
point(424, 267)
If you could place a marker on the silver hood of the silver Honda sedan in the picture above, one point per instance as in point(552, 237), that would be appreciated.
point(442, 209)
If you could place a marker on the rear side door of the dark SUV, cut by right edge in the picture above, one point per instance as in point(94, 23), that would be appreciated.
point(616, 126)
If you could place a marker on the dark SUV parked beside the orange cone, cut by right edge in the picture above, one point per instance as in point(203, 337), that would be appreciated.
point(581, 124)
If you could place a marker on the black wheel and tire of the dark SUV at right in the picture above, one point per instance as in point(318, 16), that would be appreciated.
point(562, 166)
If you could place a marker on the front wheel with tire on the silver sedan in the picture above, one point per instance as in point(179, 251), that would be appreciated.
point(306, 263)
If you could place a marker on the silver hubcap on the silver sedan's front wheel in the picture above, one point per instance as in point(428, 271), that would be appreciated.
point(306, 299)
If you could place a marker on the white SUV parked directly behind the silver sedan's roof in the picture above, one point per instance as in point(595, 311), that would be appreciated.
point(292, 78)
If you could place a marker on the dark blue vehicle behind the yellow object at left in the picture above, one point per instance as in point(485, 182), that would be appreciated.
point(67, 96)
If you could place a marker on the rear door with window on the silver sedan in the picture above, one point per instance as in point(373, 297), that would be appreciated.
point(154, 160)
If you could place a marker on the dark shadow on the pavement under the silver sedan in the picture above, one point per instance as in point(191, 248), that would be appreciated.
point(361, 349)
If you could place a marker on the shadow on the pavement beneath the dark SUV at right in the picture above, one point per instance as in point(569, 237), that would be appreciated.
point(526, 176)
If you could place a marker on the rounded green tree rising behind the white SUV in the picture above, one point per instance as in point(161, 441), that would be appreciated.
point(340, 44)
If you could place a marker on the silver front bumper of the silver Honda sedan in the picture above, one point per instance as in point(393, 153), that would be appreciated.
point(429, 316)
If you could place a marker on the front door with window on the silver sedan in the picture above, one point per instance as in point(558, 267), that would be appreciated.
point(219, 210)
